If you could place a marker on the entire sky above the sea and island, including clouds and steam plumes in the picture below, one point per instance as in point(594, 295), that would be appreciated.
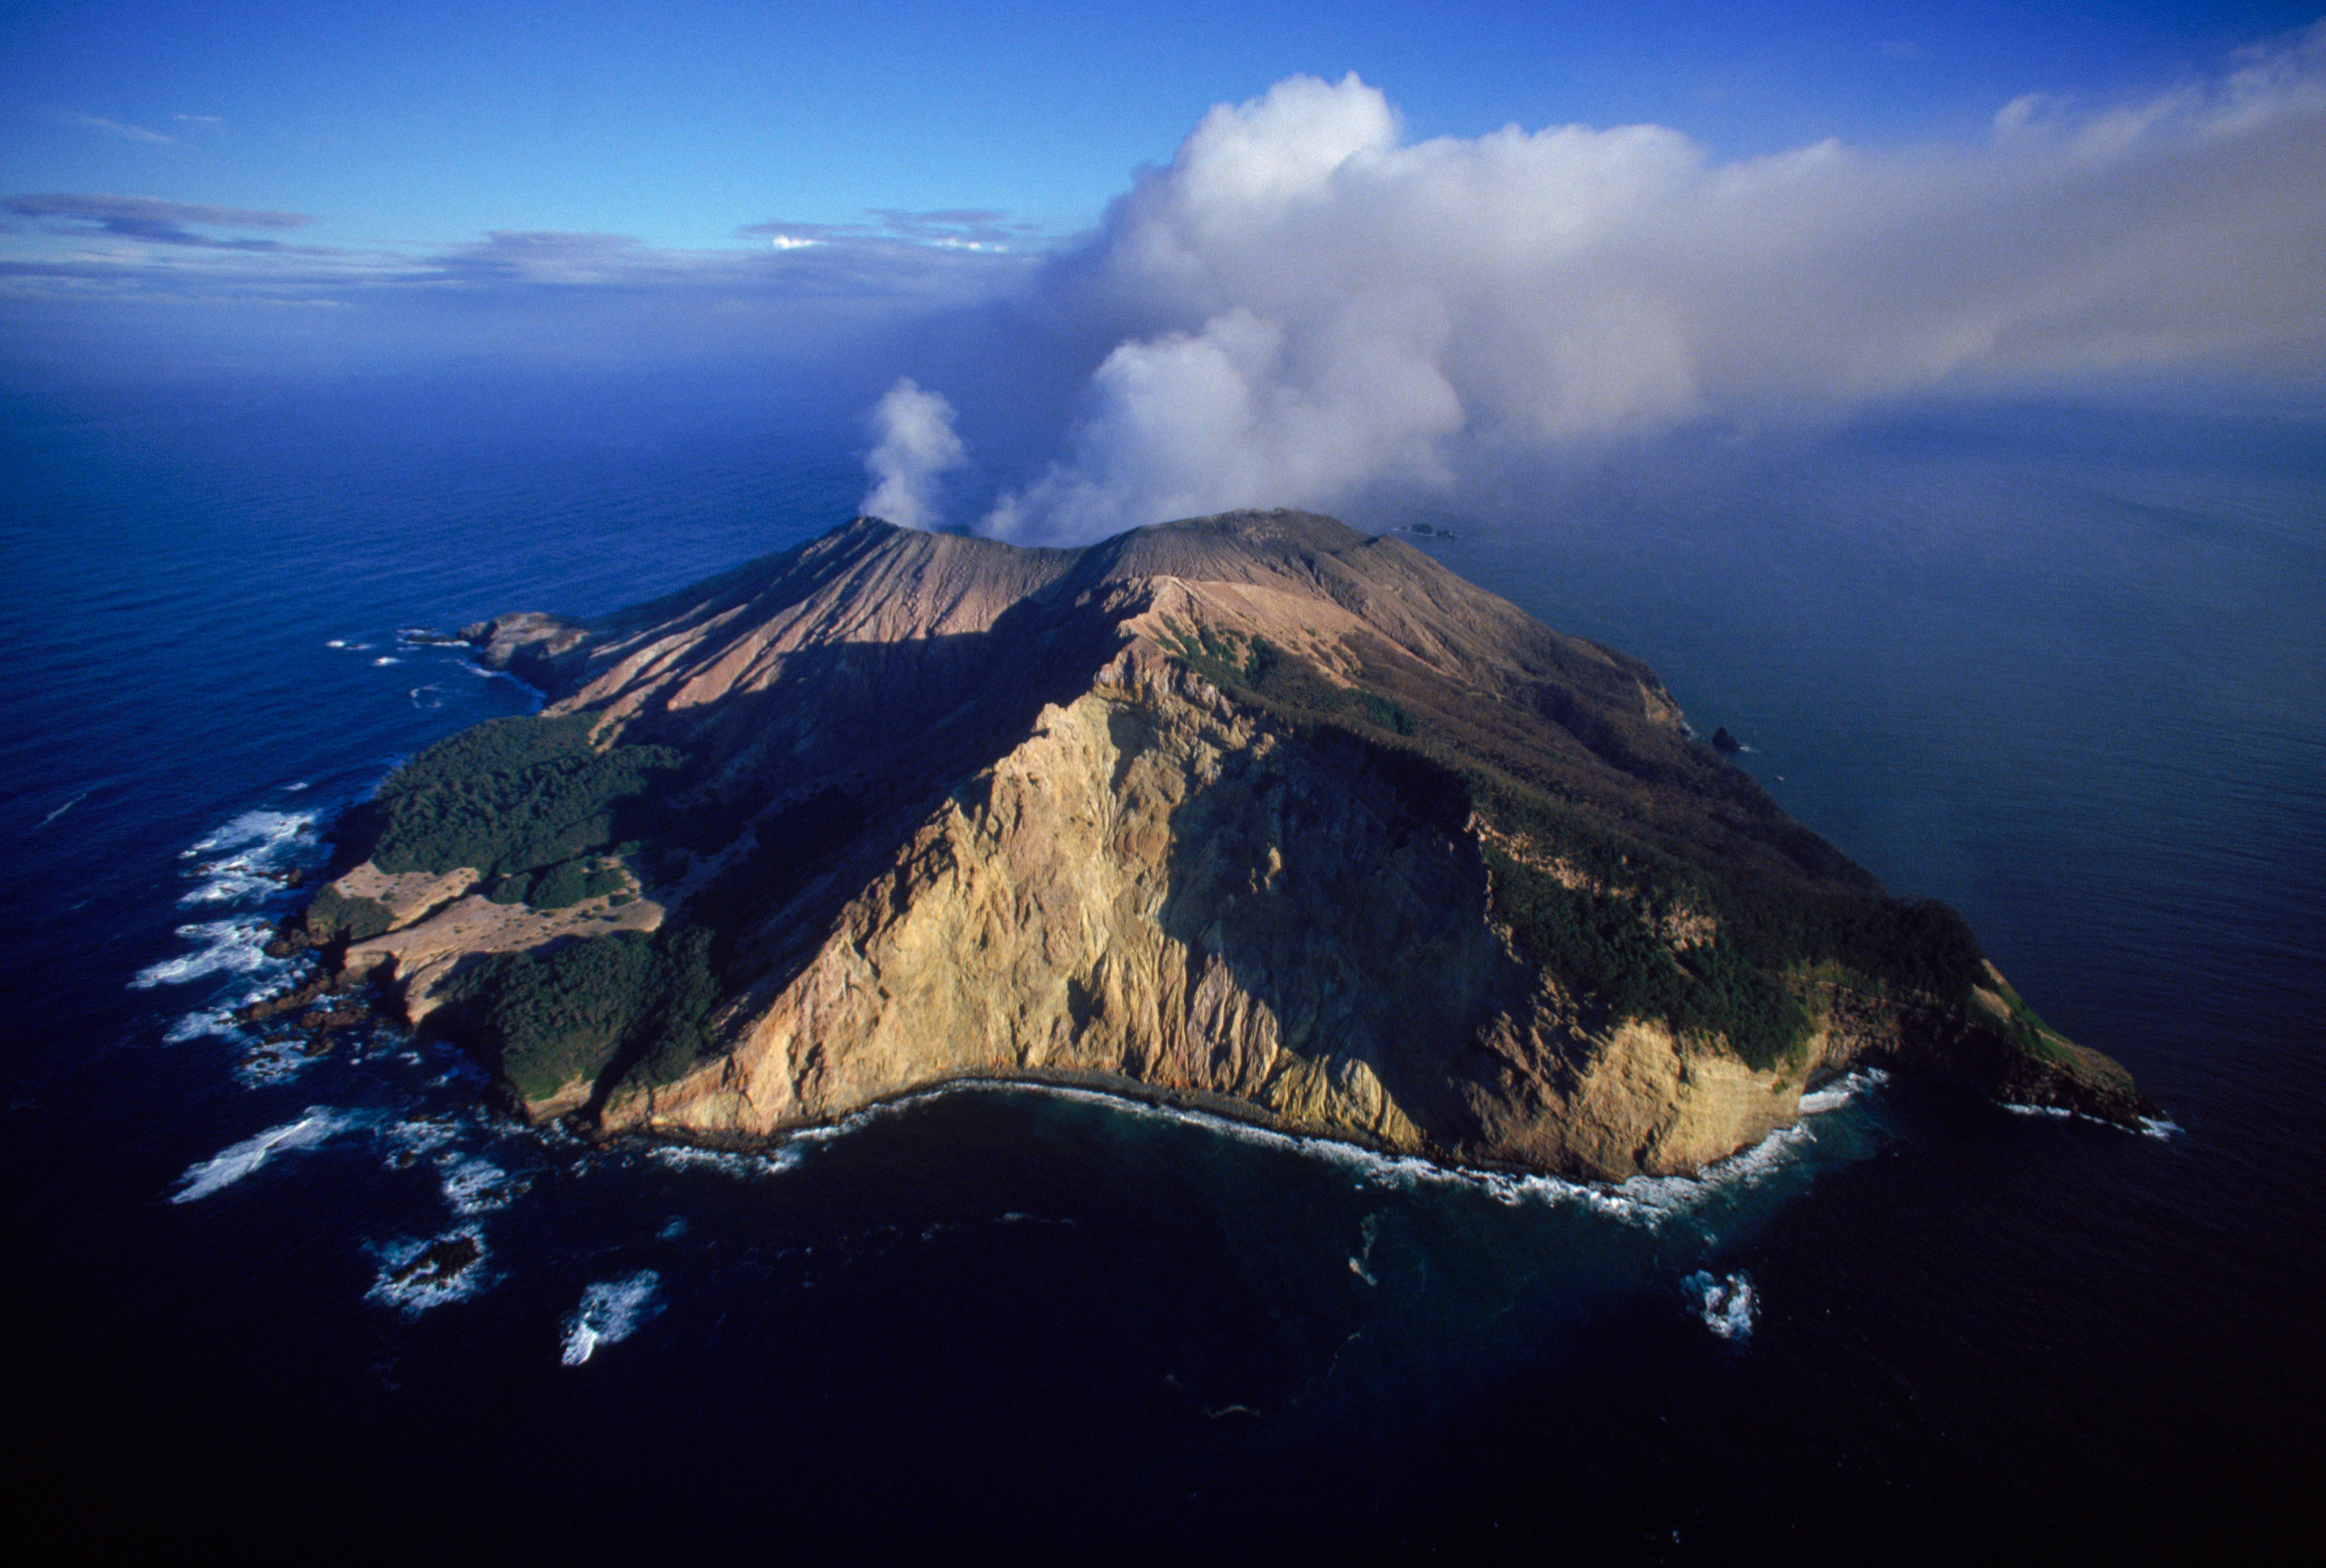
point(1164, 259)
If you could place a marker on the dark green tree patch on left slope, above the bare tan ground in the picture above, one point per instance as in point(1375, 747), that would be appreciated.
point(513, 797)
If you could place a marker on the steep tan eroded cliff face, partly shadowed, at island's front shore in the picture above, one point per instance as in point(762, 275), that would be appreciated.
point(1160, 892)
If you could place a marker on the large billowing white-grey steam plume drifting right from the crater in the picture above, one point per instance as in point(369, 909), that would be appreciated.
point(1327, 308)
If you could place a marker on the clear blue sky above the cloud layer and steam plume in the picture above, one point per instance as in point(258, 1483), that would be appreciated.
point(683, 124)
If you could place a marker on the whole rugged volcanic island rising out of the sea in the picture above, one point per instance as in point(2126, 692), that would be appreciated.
point(1253, 813)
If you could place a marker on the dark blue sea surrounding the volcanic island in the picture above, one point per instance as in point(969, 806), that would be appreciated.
point(2062, 671)
